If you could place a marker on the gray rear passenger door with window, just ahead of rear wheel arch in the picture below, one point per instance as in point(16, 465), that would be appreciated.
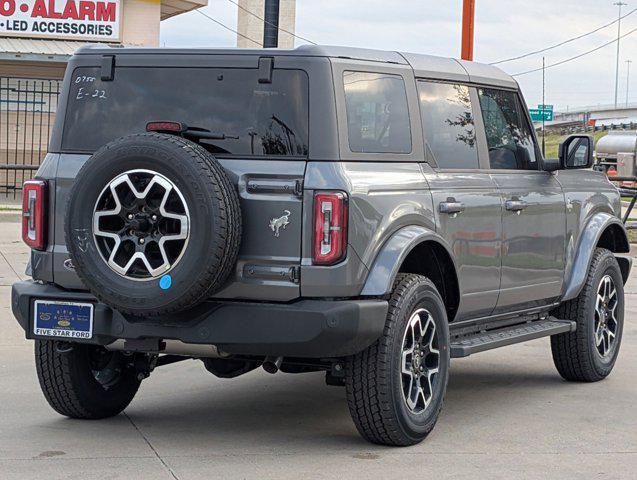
point(466, 200)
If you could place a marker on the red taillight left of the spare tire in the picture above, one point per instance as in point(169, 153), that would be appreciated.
point(33, 211)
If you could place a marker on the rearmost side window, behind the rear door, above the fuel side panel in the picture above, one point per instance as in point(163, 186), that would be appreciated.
point(377, 113)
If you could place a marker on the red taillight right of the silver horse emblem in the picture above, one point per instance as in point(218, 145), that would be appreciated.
point(330, 227)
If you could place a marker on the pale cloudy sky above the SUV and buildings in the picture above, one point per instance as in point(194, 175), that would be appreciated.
point(503, 29)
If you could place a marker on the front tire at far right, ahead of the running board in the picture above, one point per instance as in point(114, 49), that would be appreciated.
point(577, 355)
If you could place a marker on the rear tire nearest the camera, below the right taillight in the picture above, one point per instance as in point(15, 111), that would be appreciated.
point(374, 381)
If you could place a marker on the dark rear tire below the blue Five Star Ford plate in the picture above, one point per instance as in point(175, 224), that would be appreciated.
point(72, 389)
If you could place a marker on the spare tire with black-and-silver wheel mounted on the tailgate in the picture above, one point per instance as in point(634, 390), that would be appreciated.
point(153, 224)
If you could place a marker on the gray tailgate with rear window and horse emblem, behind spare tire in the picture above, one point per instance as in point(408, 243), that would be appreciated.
point(265, 123)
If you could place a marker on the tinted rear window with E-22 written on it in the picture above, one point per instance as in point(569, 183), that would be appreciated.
point(258, 118)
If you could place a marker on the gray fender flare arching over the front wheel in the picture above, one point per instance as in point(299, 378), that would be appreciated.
point(589, 239)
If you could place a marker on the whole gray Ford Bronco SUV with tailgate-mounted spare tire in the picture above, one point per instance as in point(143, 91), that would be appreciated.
point(367, 214)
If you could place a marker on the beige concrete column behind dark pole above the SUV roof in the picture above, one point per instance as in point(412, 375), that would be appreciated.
point(252, 27)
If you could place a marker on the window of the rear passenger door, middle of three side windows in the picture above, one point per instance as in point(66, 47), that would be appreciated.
point(447, 122)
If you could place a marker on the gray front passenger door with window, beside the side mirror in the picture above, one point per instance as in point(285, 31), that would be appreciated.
point(534, 213)
